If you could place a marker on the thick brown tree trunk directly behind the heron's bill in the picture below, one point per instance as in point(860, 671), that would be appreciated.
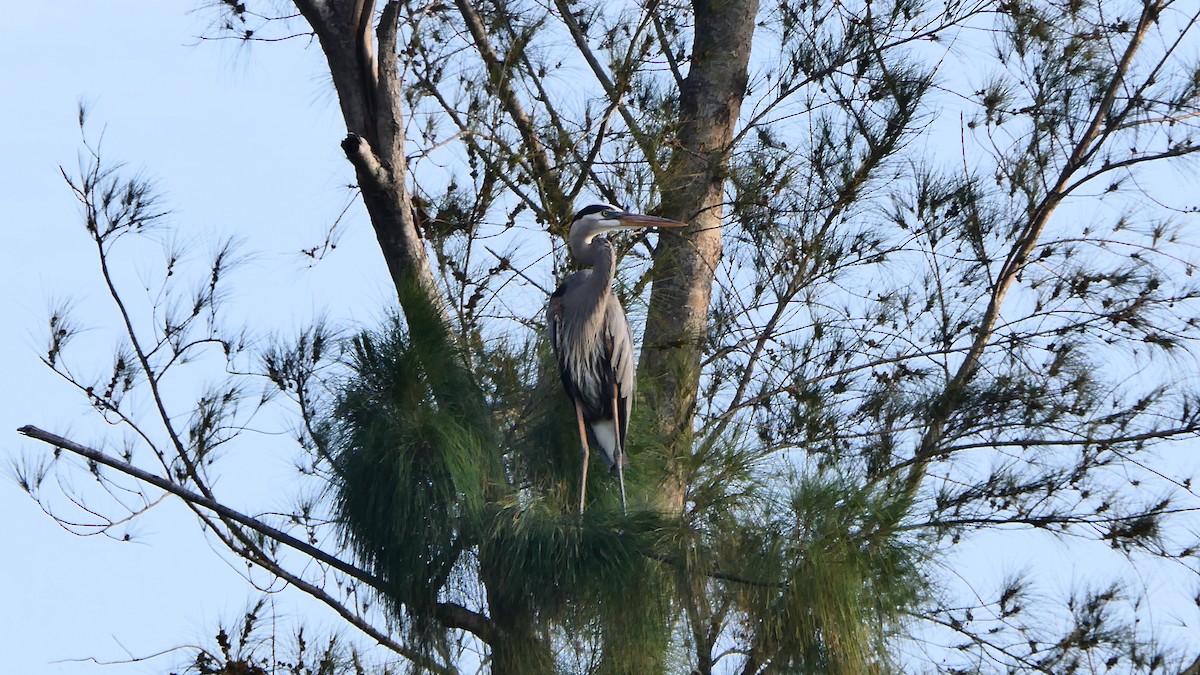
point(686, 265)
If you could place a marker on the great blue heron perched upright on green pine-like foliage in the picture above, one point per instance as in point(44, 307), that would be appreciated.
point(591, 337)
